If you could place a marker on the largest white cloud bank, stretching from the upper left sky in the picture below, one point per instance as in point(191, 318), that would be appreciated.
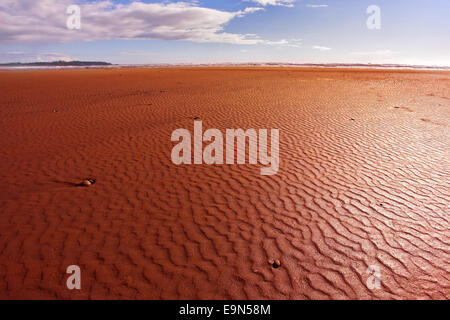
point(45, 21)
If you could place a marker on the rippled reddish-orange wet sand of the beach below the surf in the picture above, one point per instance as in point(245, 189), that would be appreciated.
point(363, 181)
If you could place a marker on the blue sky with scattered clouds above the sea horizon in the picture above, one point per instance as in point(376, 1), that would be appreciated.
point(211, 31)
